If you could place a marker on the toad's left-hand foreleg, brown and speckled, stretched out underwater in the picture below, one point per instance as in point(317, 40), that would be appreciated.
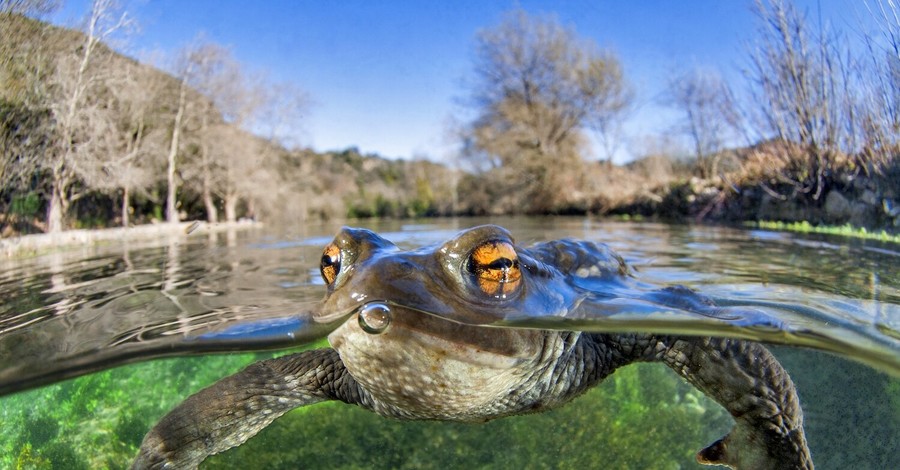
point(235, 408)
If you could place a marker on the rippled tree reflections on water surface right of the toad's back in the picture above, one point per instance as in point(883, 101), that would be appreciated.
point(725, 256)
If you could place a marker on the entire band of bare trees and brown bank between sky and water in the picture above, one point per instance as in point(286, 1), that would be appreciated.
point(91, 138)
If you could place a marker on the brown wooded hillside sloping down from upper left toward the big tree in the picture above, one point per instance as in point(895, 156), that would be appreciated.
point(259, 179)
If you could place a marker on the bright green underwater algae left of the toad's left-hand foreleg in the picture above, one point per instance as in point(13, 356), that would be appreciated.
point(98, 421)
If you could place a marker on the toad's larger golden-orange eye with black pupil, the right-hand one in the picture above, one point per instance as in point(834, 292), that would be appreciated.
point(495, 267)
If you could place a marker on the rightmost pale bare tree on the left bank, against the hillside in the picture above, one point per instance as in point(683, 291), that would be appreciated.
point(231, 164)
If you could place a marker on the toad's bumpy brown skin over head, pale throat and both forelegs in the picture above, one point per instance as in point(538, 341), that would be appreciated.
point(425, 367)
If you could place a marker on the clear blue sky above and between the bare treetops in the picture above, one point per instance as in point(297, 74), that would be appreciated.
point(388, 76)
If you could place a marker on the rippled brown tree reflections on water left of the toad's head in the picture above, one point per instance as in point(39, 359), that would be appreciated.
point(138, 298)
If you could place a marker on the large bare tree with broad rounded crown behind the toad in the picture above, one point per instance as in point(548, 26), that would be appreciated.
point(537, 89)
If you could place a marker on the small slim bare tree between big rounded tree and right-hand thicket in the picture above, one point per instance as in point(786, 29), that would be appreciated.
point(709, 114)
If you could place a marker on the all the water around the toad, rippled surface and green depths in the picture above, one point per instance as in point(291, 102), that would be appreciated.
point(78, 312)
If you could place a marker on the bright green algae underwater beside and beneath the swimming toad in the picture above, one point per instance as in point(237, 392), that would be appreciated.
point(641, 415)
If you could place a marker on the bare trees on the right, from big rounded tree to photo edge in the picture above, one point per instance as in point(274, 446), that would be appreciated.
point(830, 101)
